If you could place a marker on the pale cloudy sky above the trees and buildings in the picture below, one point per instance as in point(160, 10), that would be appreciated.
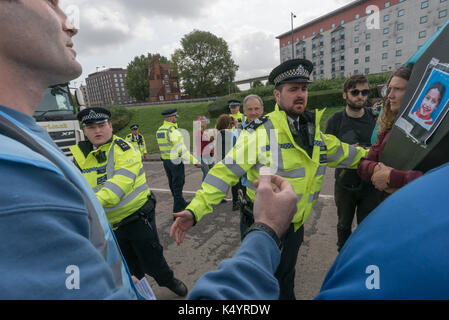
point(113, 32)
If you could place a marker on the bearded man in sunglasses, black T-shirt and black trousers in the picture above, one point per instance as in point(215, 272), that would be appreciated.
point(353, 125)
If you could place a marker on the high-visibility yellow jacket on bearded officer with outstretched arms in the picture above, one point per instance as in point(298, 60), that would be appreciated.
point(269, 142)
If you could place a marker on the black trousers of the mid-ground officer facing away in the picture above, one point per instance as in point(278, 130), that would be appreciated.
point(176, 180)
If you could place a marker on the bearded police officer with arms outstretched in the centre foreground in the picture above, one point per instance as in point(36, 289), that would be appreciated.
point(289, 141)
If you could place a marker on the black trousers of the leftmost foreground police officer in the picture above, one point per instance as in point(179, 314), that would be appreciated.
point(142, 250)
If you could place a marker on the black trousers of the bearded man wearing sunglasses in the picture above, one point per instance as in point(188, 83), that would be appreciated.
point(349, 203)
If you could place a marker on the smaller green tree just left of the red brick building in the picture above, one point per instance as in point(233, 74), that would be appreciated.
point(137, 82)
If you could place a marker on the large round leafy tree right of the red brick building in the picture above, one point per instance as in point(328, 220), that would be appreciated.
point(204, 65)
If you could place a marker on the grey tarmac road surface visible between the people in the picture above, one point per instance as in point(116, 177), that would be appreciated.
point(217, 237)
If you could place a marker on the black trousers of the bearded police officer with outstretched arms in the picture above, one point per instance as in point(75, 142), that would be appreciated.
point(285, 273)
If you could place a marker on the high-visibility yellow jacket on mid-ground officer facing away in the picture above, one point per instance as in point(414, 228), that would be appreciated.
point(171, 144)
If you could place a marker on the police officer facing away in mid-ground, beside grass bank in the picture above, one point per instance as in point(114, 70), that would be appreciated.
point(173, 151)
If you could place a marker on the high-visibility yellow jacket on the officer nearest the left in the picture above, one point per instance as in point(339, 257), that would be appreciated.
point(117, 178)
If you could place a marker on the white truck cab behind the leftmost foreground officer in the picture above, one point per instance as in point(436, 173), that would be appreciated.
point(57, 115)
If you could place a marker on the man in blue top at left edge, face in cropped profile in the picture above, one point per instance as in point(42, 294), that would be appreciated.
point(54, 240)
